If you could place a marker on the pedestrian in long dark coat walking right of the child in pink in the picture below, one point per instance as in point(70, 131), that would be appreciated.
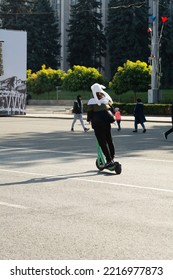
point(139, 115)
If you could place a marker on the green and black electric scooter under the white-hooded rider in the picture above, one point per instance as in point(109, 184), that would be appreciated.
point(100, 162)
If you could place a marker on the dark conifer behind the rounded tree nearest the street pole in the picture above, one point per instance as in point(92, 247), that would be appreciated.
point(127, 34)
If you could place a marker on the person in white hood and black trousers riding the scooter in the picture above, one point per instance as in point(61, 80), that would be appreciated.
point(98, 113)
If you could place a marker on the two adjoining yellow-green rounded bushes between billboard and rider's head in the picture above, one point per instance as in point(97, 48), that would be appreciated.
point(76, 79)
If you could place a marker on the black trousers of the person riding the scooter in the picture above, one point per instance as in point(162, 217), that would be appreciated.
point(104, 138)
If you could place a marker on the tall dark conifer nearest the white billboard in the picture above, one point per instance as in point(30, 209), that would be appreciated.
point(43, 37)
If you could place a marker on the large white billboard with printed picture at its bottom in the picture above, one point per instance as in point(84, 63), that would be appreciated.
point(13, 66)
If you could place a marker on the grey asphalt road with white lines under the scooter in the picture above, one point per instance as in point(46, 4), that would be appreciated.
point(55, 204)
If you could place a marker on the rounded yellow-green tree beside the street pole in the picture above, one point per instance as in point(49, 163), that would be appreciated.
point(133, 76)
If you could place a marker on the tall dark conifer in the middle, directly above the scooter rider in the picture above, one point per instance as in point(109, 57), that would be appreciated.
point(87, 43)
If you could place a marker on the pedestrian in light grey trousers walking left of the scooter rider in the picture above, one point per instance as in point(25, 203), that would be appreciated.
point(78, 111)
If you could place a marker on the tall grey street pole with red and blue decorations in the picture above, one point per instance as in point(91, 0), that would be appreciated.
point(154, 92)
